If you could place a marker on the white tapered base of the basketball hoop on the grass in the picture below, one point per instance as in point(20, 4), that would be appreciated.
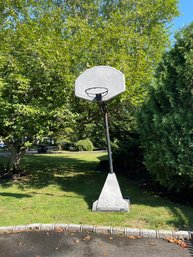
point(111, 198)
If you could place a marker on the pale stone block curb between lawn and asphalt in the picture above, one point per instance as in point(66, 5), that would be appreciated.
point(107, 230)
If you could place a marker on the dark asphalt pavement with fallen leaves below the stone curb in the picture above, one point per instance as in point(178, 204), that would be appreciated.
point(85, 244)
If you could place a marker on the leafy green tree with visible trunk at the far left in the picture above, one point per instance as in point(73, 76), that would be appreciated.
point(34, 94)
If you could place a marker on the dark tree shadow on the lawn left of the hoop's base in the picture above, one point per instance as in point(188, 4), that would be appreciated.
point(71, 174)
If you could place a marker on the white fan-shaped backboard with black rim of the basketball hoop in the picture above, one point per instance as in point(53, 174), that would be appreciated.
point(99, 83)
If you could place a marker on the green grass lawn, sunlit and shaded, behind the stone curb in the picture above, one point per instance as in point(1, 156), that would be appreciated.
point(60, 188)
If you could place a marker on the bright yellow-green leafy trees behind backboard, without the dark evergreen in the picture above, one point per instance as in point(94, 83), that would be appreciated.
point(45, 45)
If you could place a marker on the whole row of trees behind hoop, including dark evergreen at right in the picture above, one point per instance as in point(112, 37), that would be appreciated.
point(45, 45)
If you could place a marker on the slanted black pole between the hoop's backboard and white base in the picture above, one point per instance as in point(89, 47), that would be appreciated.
point(104, 110)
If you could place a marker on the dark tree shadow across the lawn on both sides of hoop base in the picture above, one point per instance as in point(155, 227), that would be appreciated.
point(82, 177)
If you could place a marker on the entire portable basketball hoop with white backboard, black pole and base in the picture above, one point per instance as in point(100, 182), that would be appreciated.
point(100, 84)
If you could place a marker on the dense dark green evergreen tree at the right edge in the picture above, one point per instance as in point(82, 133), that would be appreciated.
point(166, 118)
